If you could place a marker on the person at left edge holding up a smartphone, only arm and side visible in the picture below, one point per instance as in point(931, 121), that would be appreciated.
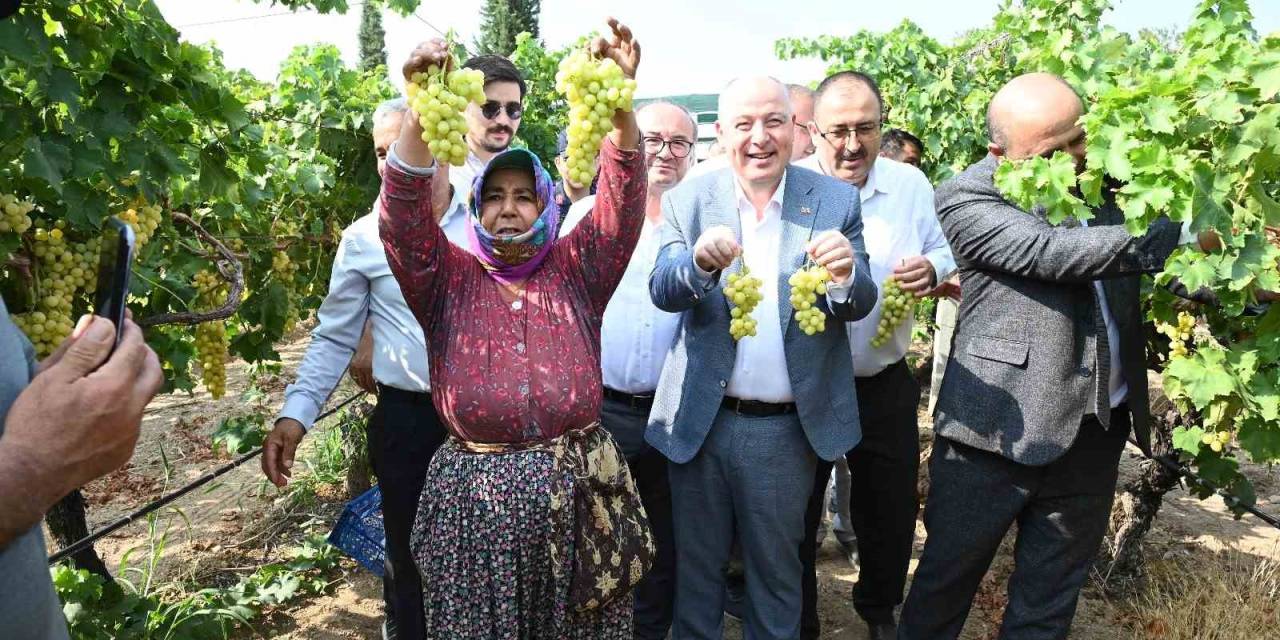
point(65, 422)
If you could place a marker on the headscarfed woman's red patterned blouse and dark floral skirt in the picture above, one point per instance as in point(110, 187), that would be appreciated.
point(525, 372)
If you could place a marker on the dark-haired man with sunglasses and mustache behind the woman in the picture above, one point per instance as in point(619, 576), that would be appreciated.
point(491, 127)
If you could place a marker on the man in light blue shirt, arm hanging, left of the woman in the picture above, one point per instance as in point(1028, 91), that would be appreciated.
point(405, 431)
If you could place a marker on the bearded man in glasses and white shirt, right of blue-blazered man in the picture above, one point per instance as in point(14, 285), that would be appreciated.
point(906, 243)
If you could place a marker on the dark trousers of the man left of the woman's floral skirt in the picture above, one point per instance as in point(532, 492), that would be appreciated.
point(404, 435)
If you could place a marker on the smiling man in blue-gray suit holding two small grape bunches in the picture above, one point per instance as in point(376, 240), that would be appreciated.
point(744, 424)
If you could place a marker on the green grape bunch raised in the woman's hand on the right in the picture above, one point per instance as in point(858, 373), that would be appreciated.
point(595, 89)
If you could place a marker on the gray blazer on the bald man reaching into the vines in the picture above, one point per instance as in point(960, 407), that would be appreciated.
point(1023, 359)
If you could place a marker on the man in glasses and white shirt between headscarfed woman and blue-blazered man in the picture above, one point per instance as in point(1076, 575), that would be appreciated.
point(636, 339)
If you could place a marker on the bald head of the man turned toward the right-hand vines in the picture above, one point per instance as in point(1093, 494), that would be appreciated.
point(1035, 116)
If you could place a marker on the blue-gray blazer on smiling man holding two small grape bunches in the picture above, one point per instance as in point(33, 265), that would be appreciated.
point(701, 362)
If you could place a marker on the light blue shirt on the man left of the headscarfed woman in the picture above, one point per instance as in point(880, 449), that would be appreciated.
point(363, 287)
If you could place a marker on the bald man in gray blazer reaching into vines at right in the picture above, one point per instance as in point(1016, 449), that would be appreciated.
point(1046, 378)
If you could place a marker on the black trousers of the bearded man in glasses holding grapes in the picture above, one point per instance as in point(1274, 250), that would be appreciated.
point(883, 500)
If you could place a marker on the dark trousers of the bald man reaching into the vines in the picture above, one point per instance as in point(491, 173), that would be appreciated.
point(1062, 511)
